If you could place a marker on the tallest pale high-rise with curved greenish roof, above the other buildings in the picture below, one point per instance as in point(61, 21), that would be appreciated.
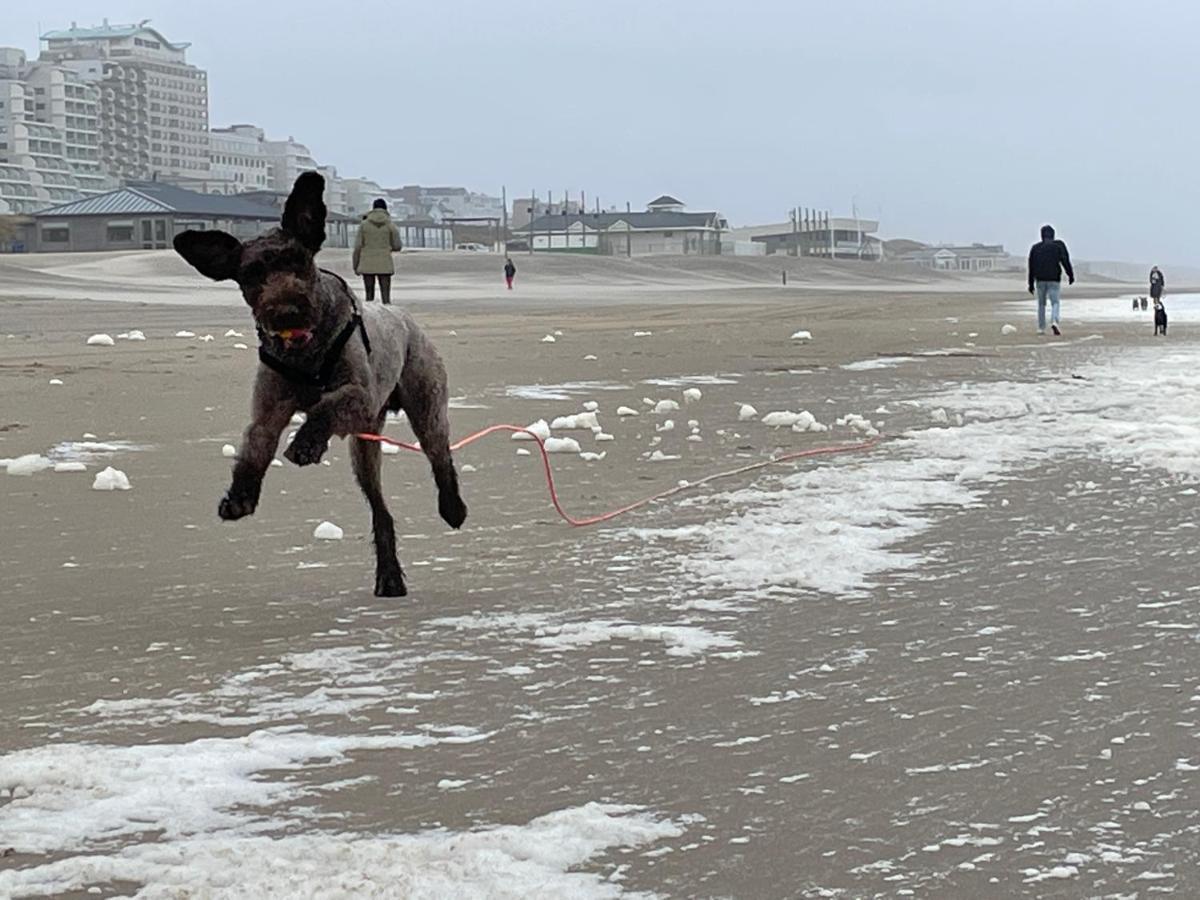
point(154, 106)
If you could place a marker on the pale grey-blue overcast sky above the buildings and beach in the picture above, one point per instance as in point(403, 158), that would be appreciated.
point(951, 121)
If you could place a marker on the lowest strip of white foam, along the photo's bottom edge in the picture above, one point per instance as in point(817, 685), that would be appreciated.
point(533, 861)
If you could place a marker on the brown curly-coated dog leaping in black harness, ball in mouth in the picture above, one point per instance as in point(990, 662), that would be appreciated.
point(344, 368)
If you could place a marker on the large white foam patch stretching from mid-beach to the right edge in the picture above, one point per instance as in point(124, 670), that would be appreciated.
point(837, 529)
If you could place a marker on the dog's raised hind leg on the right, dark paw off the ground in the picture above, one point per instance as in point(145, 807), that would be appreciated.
point(424, 397)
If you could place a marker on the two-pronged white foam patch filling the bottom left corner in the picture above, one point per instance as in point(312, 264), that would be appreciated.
point(217, 814)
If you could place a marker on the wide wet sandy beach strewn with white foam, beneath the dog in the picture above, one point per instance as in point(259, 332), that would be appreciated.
point(961, 664)
